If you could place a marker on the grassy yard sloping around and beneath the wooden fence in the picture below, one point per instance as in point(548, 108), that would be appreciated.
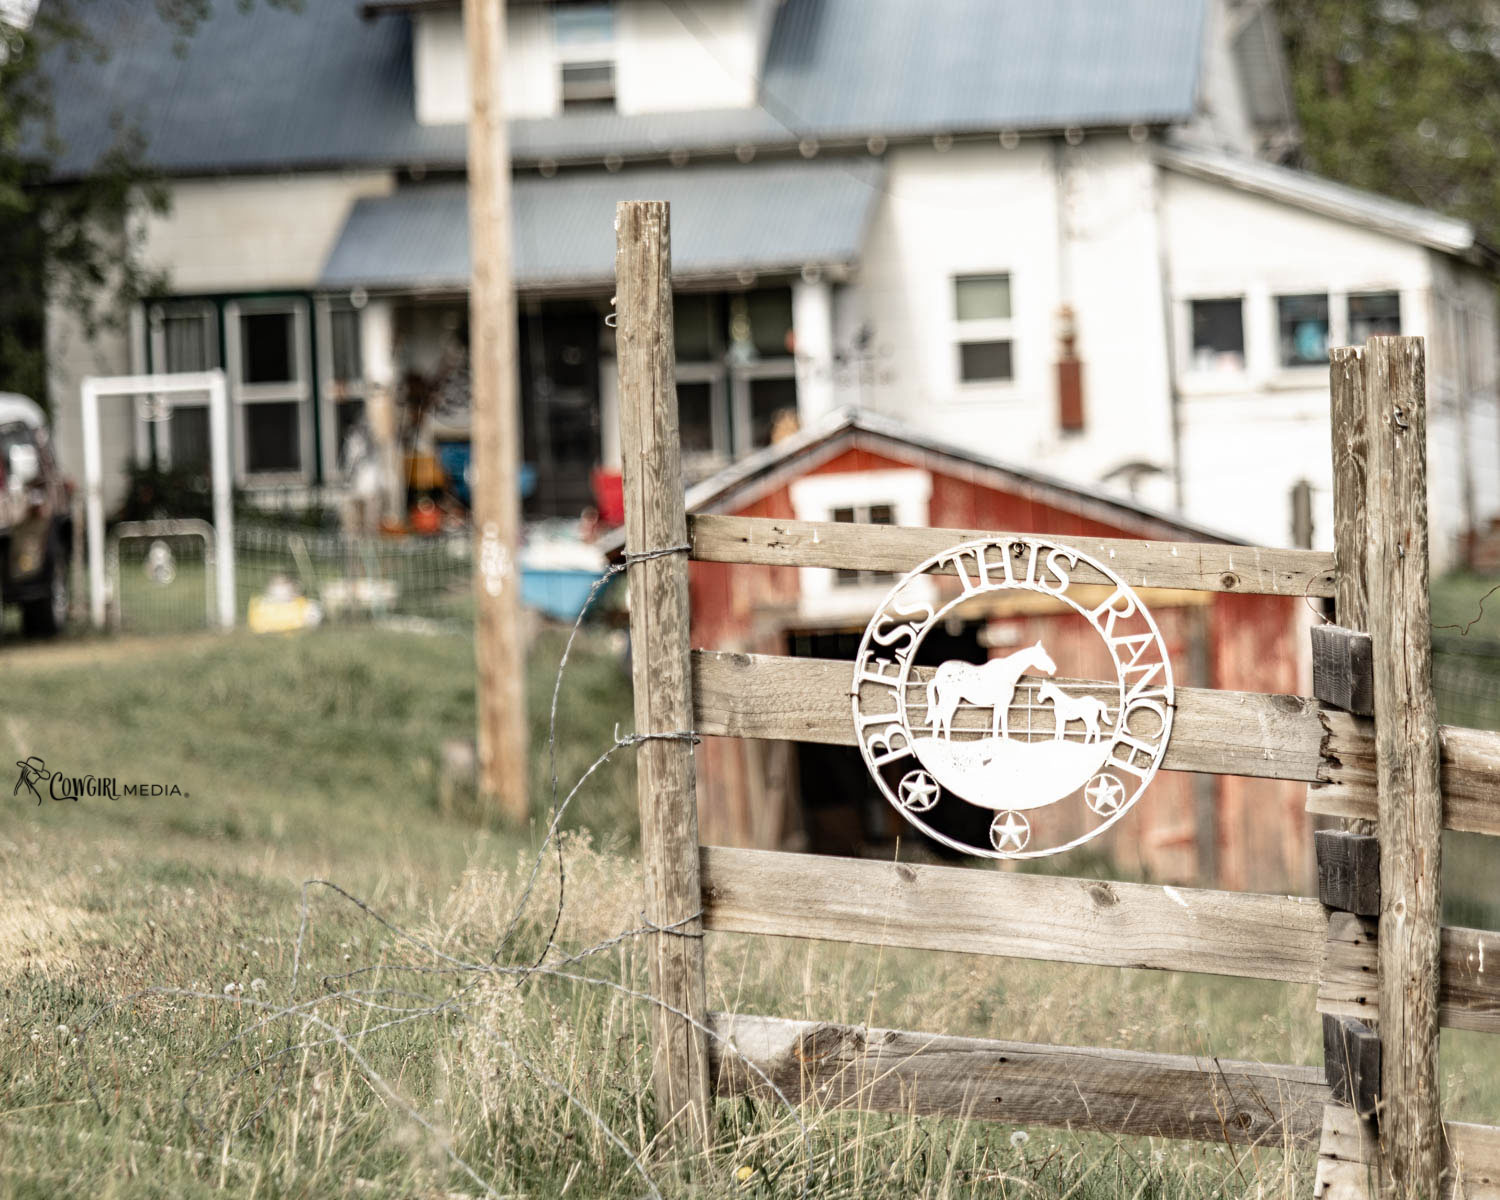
point(314, 757)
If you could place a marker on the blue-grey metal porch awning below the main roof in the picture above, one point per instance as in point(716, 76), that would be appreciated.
point(725, 218)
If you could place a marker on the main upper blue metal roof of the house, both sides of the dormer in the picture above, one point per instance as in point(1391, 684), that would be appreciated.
point(311, 86)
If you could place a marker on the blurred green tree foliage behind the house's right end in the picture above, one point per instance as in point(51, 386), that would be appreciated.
point(1402, 98)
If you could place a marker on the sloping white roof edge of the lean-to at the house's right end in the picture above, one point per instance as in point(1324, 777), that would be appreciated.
point(1336, 200)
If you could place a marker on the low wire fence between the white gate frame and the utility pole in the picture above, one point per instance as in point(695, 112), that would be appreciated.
point(295, 578)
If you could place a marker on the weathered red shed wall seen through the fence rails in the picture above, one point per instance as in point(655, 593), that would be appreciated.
point(1249, 643)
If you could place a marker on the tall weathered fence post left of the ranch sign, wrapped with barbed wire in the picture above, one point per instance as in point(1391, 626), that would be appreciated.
point(662, 673)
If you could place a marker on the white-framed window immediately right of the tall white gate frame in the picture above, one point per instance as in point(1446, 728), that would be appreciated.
point(271, 388)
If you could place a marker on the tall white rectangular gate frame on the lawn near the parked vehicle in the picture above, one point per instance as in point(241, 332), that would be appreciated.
point(212, 383)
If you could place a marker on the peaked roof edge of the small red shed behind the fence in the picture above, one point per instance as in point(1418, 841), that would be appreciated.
point(766, 470)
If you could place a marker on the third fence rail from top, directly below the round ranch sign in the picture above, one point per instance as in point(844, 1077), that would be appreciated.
point(1061, 920)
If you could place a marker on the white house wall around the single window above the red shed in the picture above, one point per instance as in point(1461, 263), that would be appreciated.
point(979, 209)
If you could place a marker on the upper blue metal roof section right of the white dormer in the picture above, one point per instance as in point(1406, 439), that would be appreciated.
point(895, 67)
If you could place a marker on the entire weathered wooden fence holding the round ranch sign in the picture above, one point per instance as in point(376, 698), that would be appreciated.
point(1390, 967)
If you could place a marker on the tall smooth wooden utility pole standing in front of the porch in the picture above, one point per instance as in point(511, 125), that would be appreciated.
point(496, 430)
